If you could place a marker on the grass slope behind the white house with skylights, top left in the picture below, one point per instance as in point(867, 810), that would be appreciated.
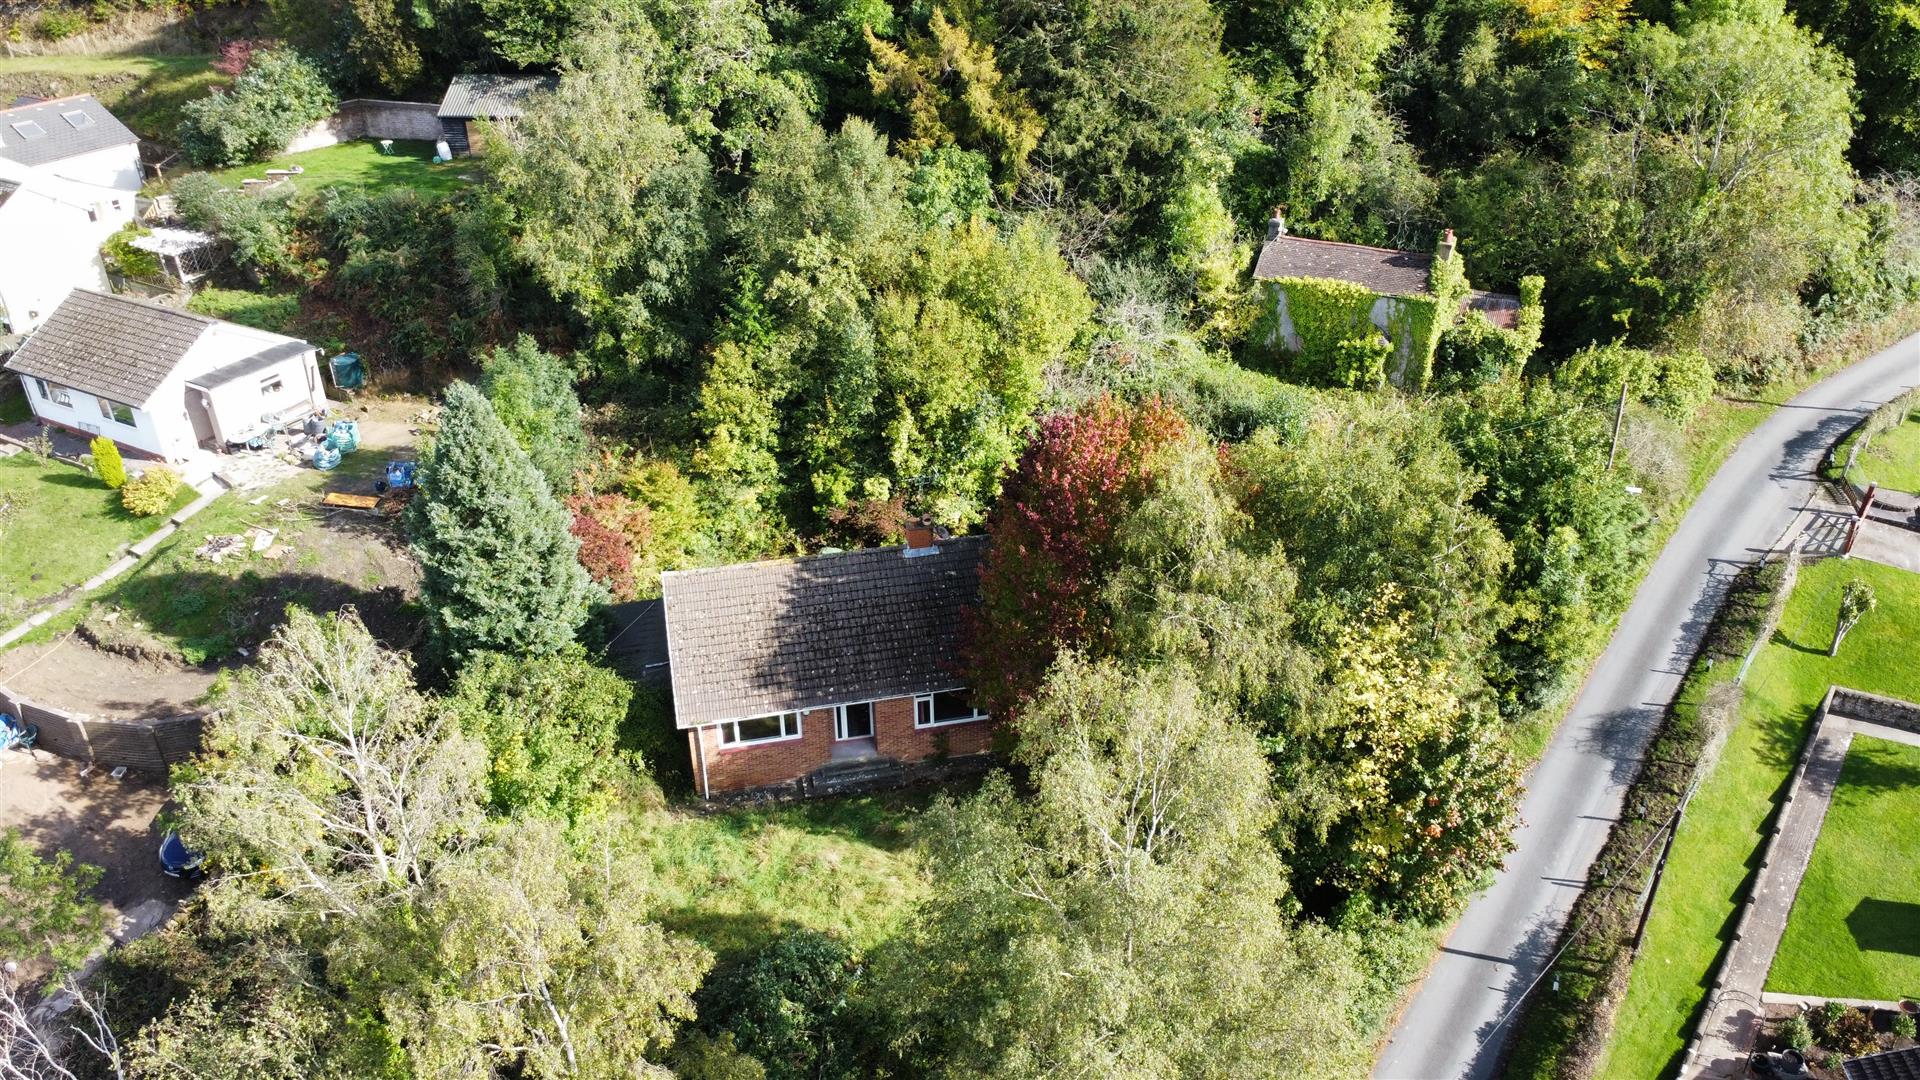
point(143, 91)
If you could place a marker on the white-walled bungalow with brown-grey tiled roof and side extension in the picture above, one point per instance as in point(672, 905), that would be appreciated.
point(162, 383)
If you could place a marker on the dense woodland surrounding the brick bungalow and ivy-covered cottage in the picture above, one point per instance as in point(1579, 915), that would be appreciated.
point(767, 276)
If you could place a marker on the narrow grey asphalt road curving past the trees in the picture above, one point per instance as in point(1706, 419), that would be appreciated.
point(1458, 1021)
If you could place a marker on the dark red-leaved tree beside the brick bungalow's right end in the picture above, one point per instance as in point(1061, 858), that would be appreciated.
point(1053, 533)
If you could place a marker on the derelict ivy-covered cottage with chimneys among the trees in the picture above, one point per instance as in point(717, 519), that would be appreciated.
point(1356, 316)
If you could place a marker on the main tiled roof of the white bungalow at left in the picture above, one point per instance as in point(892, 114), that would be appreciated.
point(108, 345)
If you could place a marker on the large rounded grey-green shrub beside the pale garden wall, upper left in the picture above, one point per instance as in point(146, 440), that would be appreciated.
point(279, 95)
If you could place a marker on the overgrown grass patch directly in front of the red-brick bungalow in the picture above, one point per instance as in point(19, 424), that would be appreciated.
point(842, 866)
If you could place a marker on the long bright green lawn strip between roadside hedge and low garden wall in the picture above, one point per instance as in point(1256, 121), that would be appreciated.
point(1721, 835)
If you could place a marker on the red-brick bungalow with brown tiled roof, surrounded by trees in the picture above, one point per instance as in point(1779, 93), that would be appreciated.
point(790, 668)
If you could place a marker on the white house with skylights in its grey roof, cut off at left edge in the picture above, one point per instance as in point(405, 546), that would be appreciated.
point(68, 180)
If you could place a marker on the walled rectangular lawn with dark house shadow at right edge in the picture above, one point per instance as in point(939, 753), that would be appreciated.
point(1856, 925)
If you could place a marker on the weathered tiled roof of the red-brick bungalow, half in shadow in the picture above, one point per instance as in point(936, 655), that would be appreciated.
point(761, 639)
